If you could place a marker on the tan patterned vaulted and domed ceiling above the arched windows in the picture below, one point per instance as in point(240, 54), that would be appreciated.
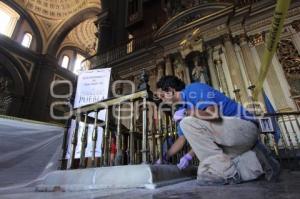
point(51, 16)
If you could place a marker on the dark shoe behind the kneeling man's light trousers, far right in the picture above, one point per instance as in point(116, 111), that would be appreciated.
point(268, 162)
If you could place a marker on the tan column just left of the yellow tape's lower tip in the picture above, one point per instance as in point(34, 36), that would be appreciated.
point(234, 69)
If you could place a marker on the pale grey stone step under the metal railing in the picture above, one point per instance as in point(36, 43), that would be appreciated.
point(129, 176)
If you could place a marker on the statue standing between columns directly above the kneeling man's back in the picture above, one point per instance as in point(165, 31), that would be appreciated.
point(199, 72)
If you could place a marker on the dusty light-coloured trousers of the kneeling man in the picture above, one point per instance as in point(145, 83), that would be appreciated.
point(223, 147)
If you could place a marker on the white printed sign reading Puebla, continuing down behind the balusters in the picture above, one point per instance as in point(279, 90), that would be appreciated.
point(92, 86)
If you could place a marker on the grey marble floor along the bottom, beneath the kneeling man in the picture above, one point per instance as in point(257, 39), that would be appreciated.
point(287, 188)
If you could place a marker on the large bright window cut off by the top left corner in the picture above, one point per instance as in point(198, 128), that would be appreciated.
point(8, 18)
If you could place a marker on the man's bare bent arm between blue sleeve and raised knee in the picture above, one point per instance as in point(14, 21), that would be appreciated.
point(211, 113)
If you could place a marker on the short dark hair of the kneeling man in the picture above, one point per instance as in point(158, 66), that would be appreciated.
point(169, 81)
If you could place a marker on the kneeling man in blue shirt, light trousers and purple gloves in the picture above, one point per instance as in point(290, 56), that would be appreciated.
point(220, 131)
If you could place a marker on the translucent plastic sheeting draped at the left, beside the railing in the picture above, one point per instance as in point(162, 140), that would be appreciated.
point(28, 151)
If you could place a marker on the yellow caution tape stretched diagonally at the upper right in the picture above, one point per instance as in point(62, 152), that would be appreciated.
point(281, 9)
